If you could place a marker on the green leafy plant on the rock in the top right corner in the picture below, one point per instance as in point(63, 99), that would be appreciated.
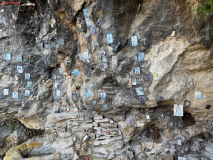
point(205, 8)
